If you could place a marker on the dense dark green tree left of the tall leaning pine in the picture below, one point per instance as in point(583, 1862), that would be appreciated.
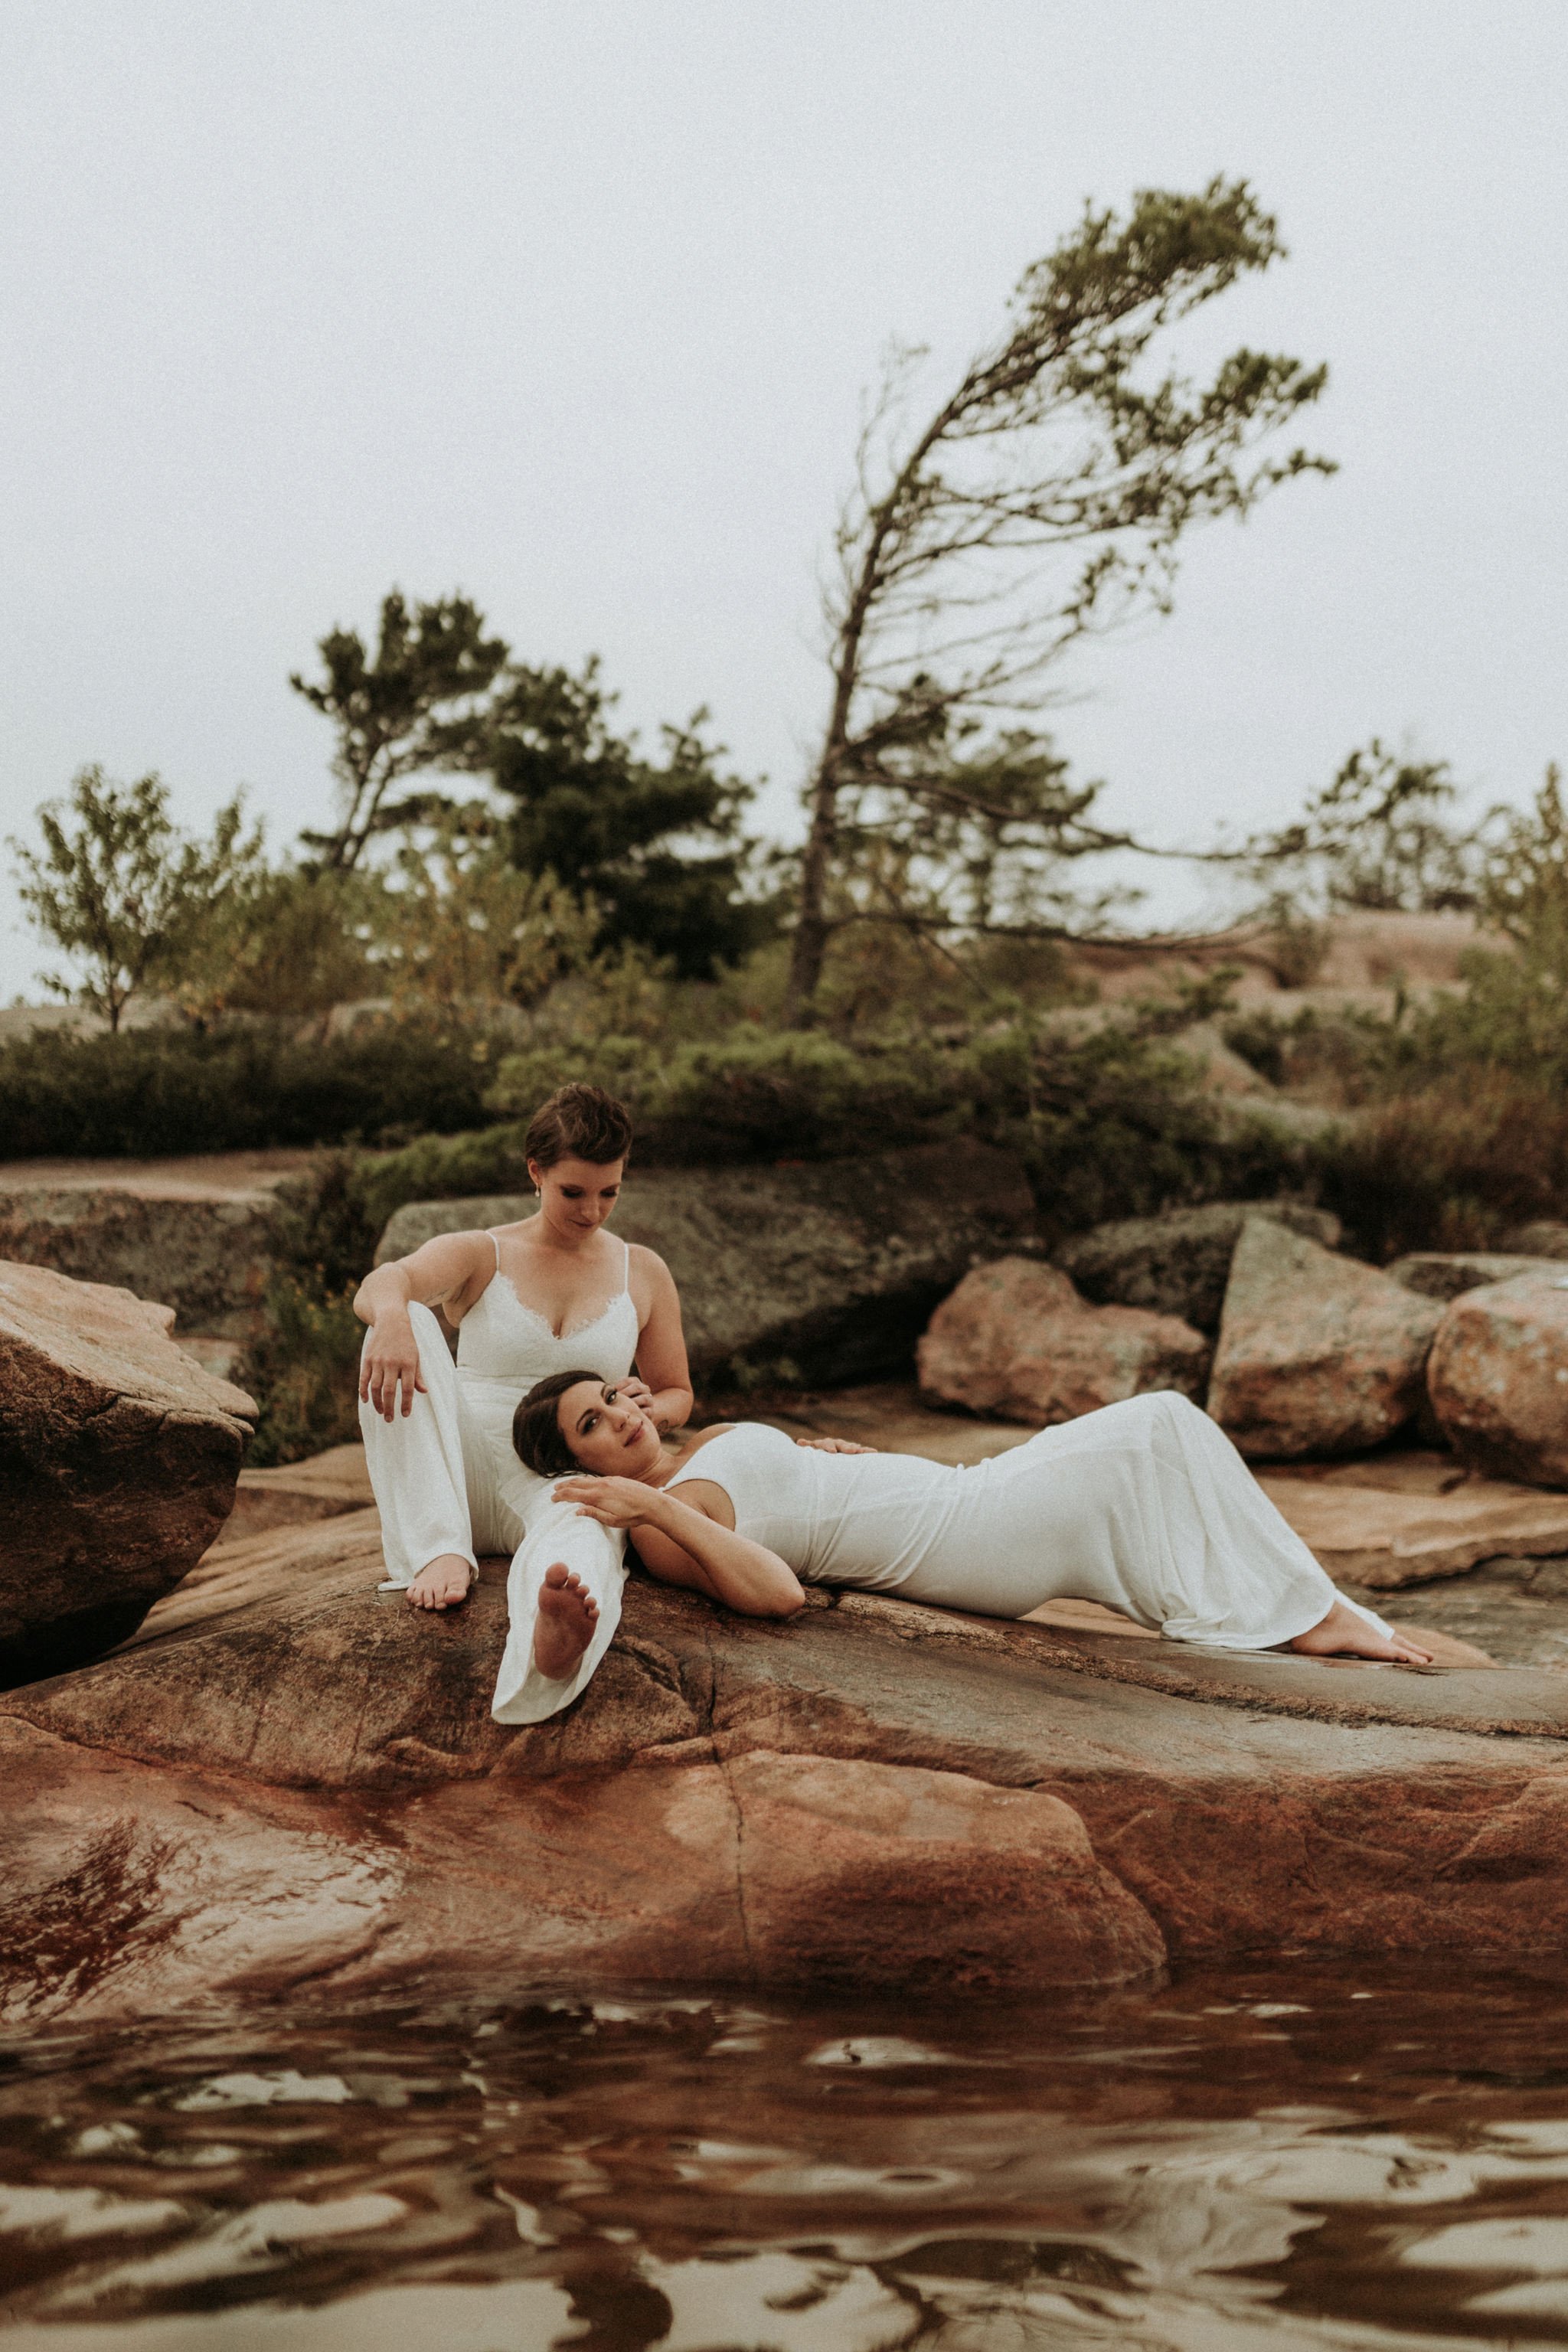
point(655, 843)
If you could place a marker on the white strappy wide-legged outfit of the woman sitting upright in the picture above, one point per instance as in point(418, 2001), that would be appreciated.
point(448, 1481)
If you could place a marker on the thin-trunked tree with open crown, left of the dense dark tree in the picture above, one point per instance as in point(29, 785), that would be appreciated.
point(420, 704)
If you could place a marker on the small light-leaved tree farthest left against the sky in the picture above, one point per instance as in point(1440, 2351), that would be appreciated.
point(123, 890)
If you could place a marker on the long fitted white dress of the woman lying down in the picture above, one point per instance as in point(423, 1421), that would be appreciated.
point(1144, 1506)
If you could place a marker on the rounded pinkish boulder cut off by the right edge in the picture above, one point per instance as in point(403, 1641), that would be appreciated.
point(1499, 1377)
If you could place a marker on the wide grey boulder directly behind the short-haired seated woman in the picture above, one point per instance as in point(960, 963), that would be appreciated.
point(822, 1271)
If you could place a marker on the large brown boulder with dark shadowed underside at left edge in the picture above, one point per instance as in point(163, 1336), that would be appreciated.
point(119, 1462)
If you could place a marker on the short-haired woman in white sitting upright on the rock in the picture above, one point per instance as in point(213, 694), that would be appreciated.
point(525, 1299)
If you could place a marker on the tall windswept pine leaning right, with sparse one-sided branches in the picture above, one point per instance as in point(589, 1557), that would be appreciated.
point(1043, 500)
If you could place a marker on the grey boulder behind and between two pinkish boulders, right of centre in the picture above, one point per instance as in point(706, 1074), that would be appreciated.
point(1179, 1264)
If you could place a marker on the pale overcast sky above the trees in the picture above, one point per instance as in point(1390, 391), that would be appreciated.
point(572, 307)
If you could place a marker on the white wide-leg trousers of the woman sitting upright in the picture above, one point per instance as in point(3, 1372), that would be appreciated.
point(448, 1483)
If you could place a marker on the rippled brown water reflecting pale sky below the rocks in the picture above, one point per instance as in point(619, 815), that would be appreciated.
point(1240, 2163)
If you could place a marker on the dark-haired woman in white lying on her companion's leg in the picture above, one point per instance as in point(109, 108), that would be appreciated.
point(1144, 1506)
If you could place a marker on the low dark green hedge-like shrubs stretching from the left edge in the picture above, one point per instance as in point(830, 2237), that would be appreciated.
point(239, 1088)
